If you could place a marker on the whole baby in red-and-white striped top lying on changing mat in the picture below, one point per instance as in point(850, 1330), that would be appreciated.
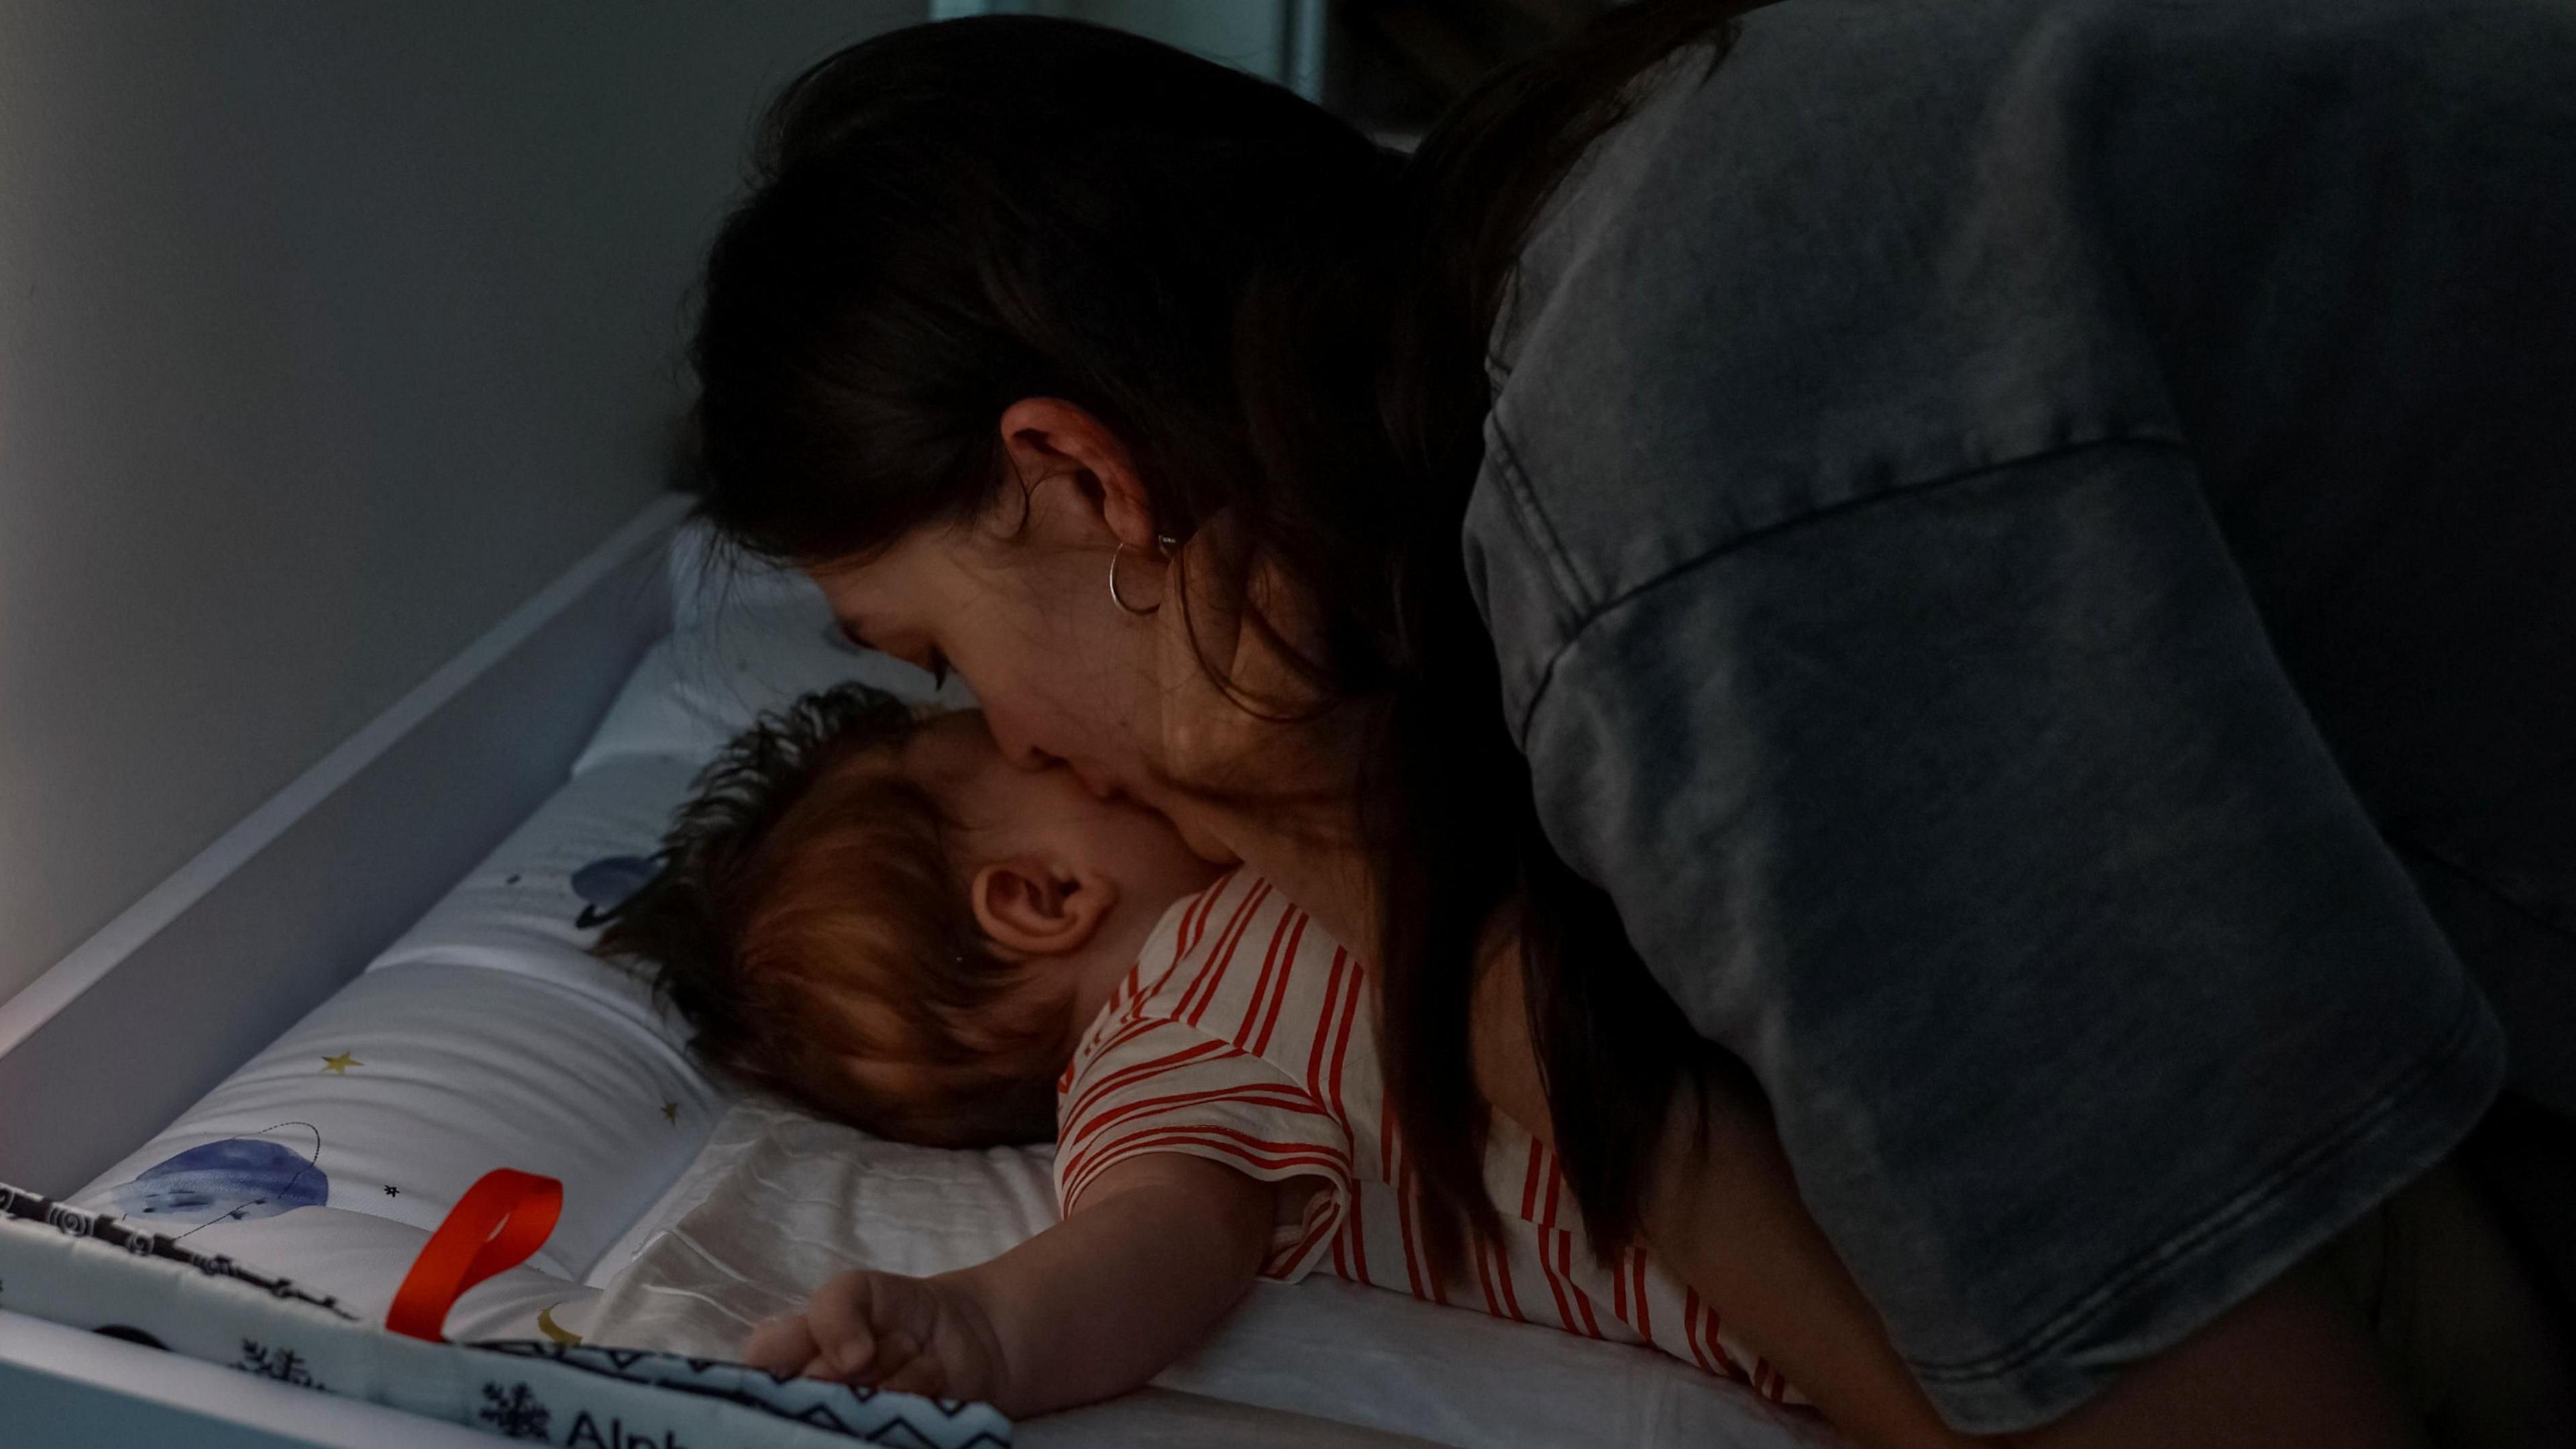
point(887, 922)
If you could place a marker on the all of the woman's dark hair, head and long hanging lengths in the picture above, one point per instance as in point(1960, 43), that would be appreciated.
point(1284, 324)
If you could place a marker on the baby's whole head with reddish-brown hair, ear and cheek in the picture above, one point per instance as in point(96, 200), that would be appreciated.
point(880, 917)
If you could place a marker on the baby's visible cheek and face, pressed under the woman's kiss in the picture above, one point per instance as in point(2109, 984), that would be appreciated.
point(1006, 811)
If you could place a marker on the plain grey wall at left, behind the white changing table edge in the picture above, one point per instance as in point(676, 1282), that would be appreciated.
point(328, 334)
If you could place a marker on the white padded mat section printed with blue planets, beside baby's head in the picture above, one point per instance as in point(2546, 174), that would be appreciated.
point(488, 1035)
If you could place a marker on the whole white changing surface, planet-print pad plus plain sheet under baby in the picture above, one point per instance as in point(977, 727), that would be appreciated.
point(488, 1038)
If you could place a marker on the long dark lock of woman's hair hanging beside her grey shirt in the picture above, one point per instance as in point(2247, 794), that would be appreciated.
point(1464, 839)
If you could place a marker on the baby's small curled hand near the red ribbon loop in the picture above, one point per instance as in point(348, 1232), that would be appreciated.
point(923, 1337)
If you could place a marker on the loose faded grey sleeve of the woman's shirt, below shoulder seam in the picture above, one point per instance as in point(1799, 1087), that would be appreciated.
point(1987, 829)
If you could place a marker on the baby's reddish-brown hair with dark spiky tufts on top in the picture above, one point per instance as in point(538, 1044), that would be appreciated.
point(818, 937)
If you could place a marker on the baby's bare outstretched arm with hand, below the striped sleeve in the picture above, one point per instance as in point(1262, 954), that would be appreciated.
point(1096, 1306)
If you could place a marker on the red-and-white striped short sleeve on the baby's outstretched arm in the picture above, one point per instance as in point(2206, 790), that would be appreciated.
point(1166, 1087)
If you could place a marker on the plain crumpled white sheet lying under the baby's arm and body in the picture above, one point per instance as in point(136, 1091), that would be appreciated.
point(782, 1203)
